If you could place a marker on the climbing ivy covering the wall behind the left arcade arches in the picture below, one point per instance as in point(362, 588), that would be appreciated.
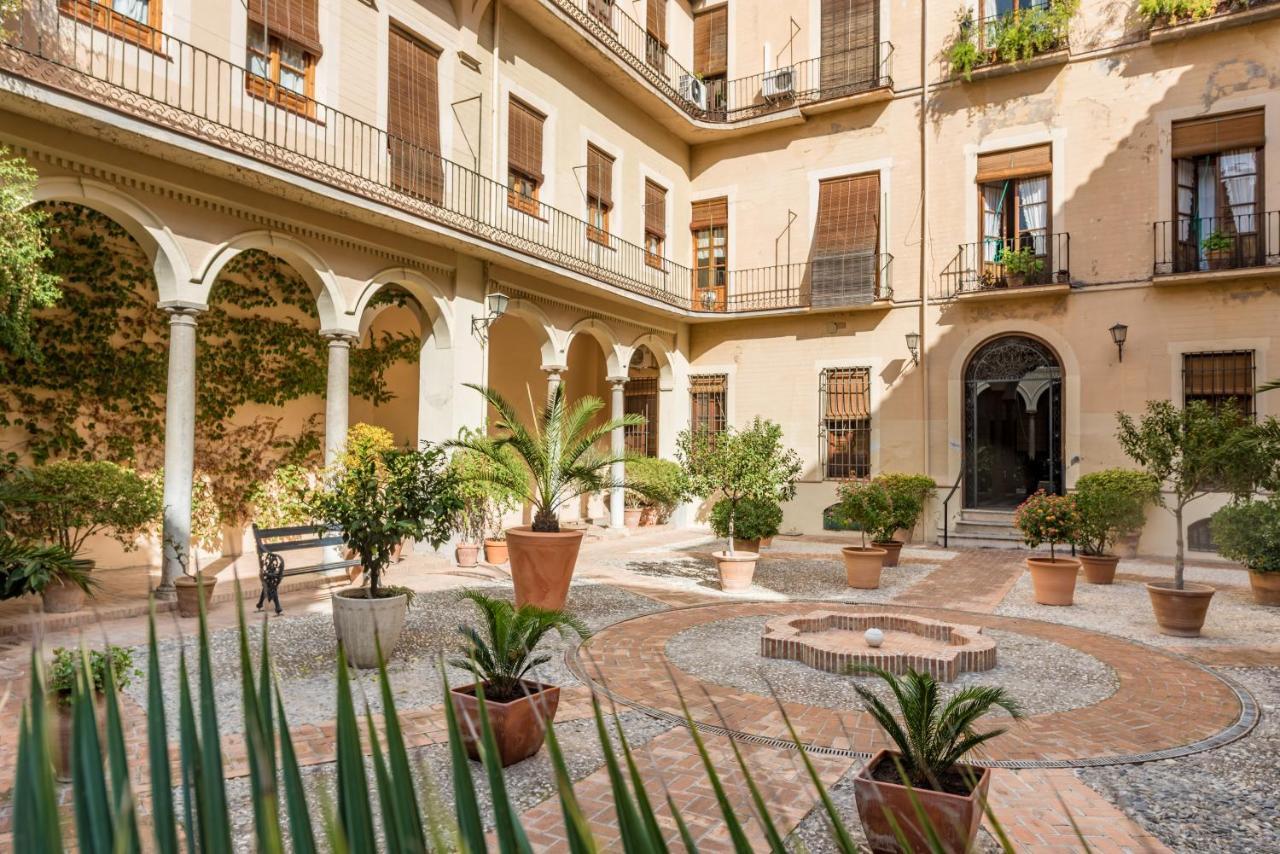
point(98, 392)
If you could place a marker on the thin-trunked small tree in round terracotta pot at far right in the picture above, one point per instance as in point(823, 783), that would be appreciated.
point(1195, 450)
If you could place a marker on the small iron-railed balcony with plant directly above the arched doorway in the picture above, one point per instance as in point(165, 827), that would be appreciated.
point(1030, 266)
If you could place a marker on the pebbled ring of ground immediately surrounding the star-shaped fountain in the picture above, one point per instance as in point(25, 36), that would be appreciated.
point(1041, 675)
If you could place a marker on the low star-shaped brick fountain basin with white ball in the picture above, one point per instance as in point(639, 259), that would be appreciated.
point(834, 642)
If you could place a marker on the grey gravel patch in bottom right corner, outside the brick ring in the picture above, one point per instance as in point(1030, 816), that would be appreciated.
point(1220, 801)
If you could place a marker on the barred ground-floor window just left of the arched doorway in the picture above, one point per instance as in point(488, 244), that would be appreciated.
point(847, 423)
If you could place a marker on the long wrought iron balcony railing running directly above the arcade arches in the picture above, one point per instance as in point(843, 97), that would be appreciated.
point(170, 84)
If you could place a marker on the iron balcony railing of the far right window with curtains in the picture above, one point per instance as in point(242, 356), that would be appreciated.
point(1209, 244)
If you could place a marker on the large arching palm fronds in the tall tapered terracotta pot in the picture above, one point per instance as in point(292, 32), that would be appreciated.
point(561, 451)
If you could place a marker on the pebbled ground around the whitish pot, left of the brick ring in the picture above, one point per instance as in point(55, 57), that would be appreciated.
point(304, 655)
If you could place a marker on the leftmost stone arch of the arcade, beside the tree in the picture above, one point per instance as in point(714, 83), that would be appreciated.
point(168, 262)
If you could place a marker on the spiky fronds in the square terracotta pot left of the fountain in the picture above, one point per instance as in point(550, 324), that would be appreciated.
point(504, 654)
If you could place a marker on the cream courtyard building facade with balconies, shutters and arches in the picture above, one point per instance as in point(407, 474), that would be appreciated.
point(811, 211)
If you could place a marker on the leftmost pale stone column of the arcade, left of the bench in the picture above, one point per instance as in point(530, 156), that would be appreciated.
point(180, 446)
